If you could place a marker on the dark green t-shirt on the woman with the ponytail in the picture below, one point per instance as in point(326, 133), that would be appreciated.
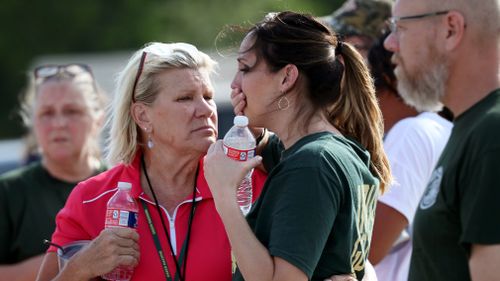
point(317, 207)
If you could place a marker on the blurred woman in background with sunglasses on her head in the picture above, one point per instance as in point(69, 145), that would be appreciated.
point(63, 109)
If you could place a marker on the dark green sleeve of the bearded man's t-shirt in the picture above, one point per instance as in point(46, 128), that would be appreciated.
point(480, 208)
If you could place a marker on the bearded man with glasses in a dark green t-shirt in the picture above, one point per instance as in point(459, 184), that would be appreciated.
point(448, 52)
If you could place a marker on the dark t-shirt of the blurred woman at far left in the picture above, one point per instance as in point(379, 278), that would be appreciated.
point(29, 201)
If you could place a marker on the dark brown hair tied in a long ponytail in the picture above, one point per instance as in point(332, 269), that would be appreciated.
point(335, 78)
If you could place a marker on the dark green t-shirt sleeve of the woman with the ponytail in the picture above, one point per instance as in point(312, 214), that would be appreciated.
point(303, 216)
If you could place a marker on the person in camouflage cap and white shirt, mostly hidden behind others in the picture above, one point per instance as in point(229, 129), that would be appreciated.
point(414, 138)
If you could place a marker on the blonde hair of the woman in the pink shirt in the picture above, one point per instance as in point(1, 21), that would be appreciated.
point(122, 143)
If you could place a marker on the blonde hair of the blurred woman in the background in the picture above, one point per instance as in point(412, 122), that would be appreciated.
point(83, 82)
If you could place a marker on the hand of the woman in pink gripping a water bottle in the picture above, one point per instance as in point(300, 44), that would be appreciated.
point(113, 247)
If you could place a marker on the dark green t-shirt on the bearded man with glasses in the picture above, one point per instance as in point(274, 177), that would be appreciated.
point(460, 206)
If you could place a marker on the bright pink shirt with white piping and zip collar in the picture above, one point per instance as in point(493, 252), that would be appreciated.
point(209, 256)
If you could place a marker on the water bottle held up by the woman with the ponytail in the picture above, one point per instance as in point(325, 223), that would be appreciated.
point(239, 144)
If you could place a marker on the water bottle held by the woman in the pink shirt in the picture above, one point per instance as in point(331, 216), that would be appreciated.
point(121, 212)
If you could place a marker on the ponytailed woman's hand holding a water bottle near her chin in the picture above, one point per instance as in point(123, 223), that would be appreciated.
point(224, 175)
